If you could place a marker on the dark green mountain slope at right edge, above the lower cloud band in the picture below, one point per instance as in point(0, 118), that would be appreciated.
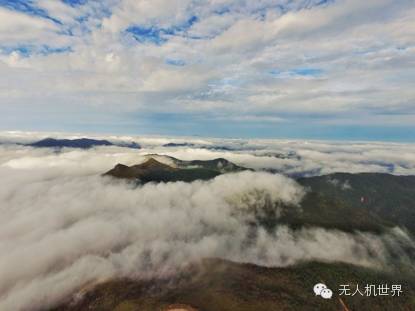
point(387, 199)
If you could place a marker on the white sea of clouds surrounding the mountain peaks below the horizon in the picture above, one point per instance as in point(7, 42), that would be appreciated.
point(64, 226)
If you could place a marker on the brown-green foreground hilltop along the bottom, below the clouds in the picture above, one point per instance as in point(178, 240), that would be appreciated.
point(219, 285)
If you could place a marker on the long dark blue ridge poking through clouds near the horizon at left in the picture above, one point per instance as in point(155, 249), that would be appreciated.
point(83, 143)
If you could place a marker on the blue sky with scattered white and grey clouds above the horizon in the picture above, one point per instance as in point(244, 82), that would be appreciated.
point(308, 69)
